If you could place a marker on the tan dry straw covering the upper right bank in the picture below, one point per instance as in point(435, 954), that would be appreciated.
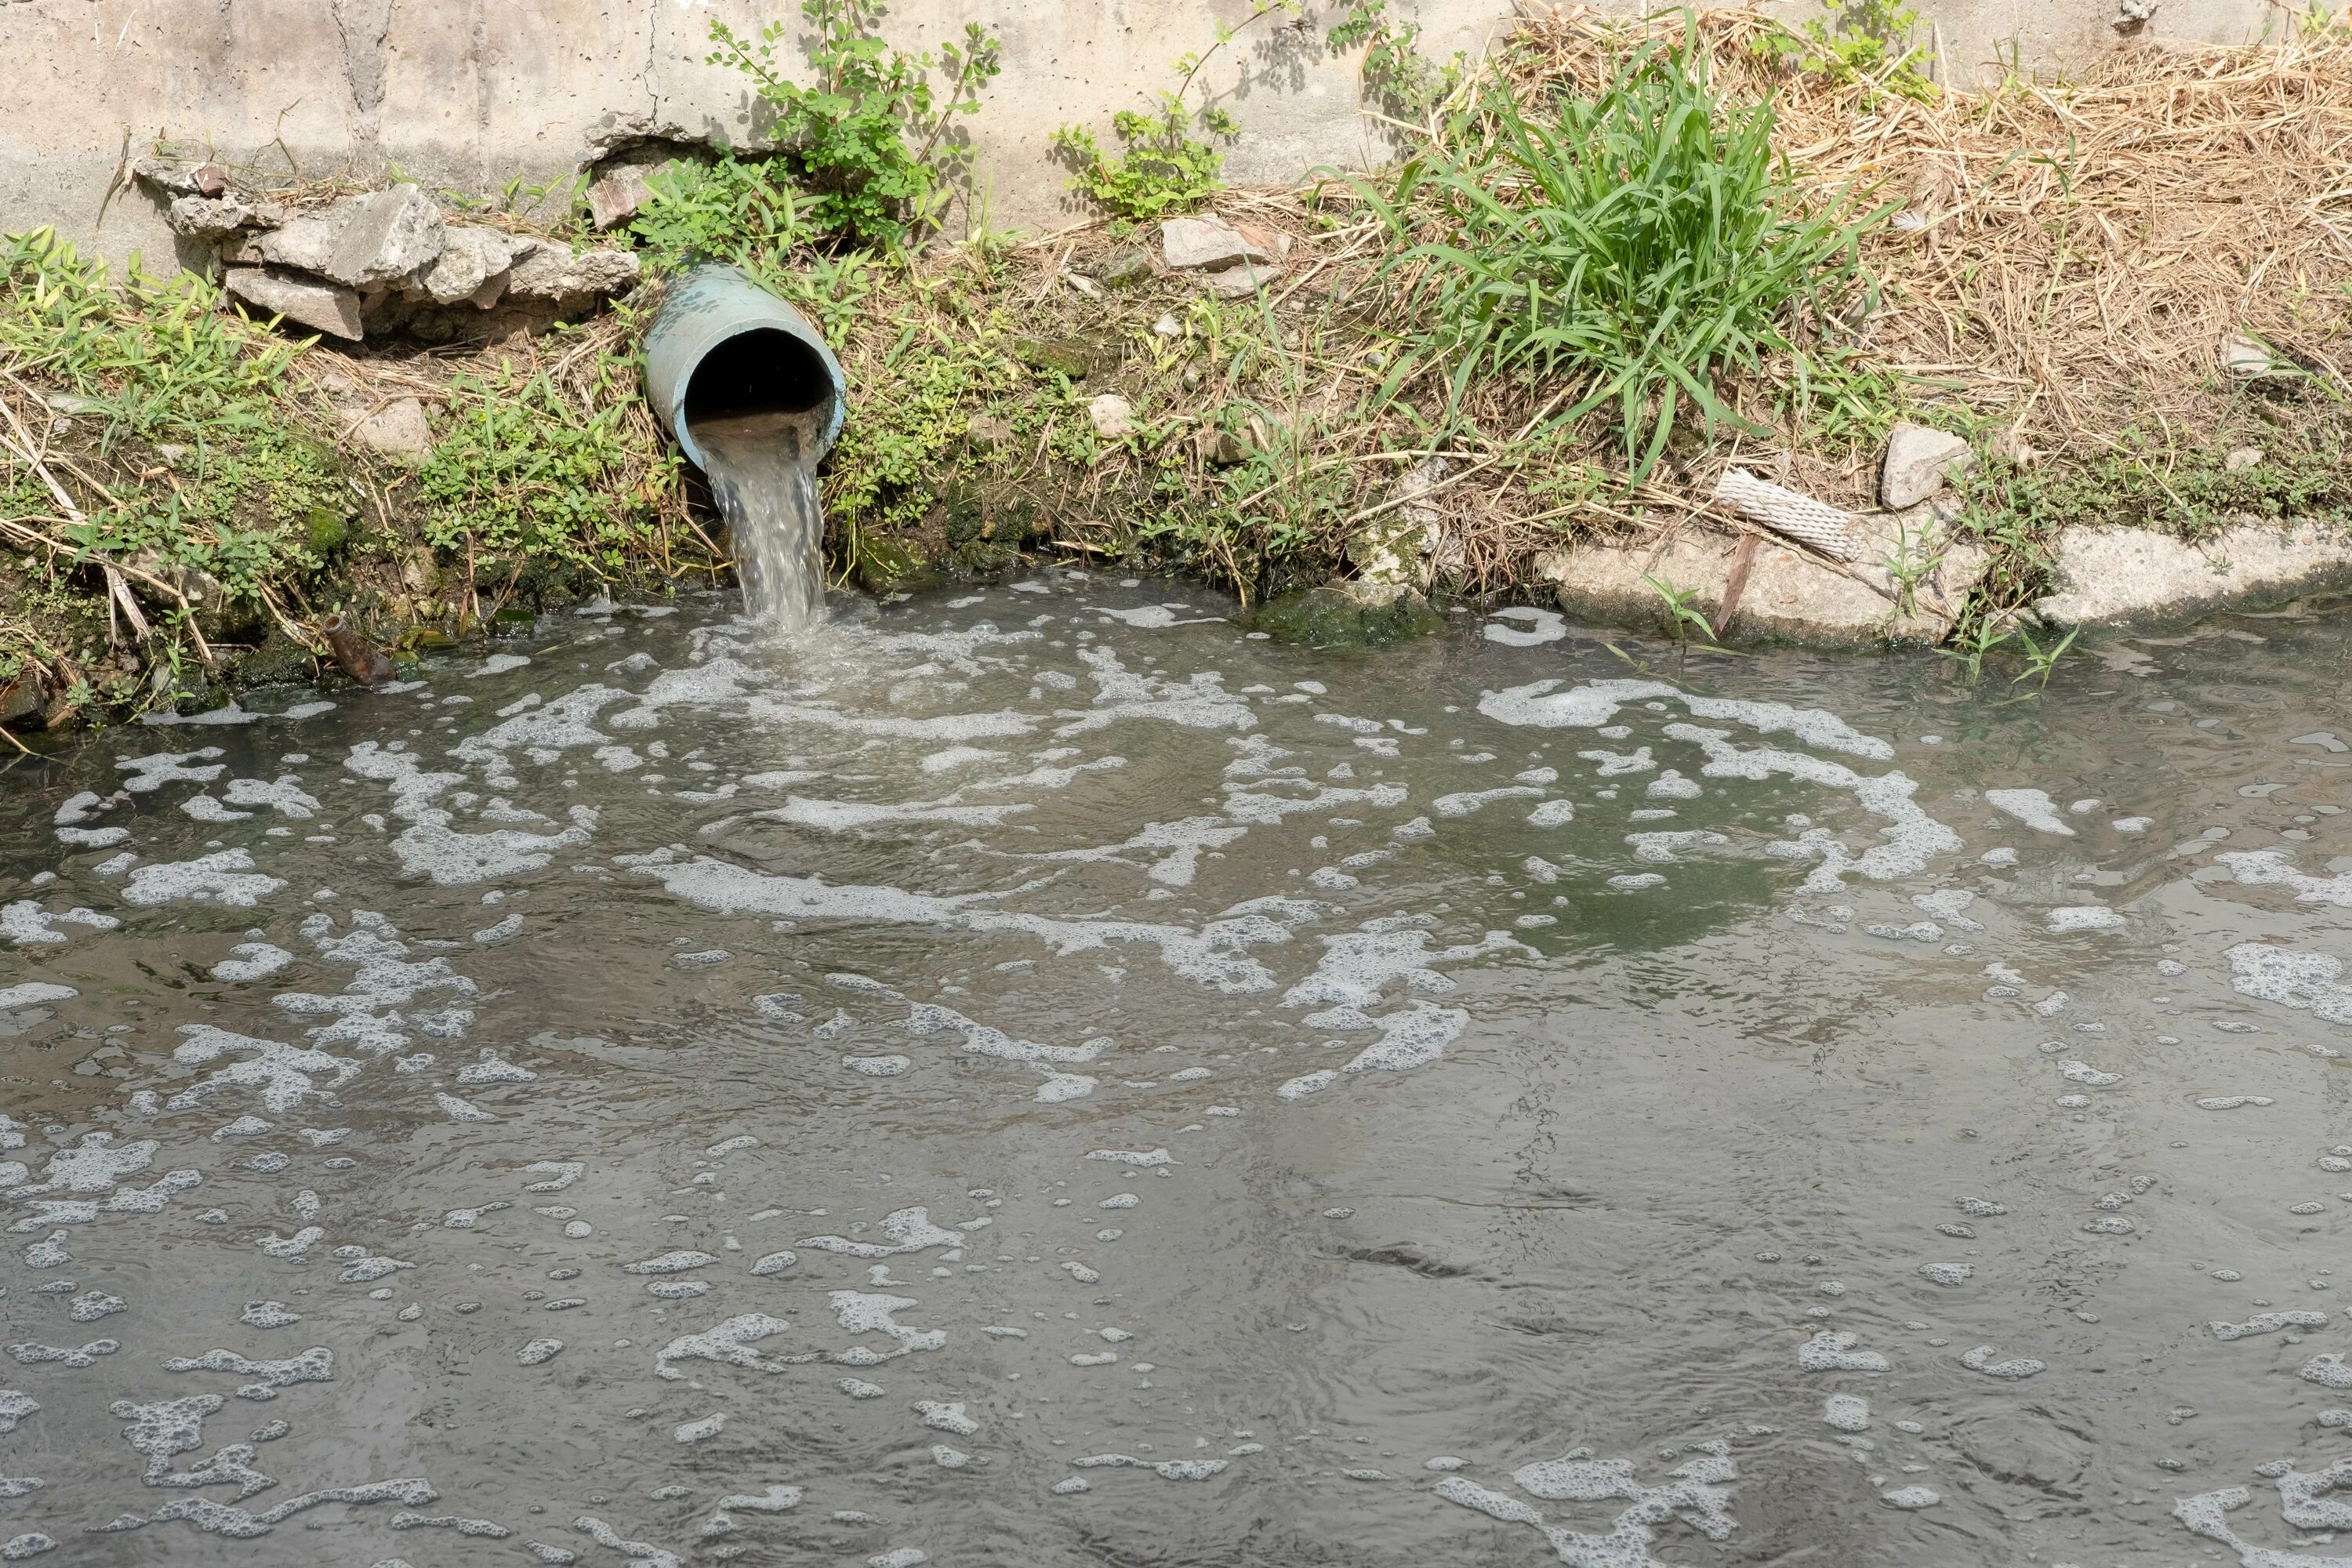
point(2071, 255)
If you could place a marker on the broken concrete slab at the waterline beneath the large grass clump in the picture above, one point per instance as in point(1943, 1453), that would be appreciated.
point(1789, 594)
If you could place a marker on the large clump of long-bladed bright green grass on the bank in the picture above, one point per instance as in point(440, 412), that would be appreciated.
point(1633, 246)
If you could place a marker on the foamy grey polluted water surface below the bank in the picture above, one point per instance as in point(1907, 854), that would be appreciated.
point(1045, 1078)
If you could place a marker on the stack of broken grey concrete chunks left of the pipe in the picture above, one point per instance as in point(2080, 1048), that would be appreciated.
point(377, 262)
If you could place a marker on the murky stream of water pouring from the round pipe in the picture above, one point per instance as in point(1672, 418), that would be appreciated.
point(766, 488)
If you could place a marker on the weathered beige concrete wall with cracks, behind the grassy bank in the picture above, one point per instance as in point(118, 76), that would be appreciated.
point(469, 95)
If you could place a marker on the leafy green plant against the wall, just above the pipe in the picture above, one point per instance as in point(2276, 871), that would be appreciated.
point(867, 138)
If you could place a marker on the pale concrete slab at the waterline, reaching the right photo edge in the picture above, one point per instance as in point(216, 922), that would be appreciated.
point(2134, 575)
